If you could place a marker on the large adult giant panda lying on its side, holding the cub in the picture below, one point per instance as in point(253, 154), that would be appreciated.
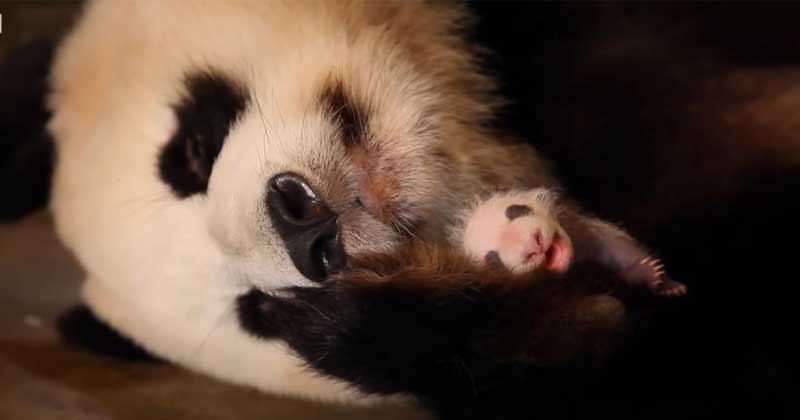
point(173, 124)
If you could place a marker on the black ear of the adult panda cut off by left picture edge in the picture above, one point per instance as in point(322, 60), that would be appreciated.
point(26, 148)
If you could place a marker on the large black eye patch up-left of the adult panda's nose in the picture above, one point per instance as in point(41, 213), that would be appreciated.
point(205, 114)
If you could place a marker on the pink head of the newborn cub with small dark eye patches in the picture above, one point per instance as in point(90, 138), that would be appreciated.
point(519, 231)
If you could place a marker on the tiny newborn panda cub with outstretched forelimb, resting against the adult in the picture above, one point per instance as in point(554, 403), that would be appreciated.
point(524, 230)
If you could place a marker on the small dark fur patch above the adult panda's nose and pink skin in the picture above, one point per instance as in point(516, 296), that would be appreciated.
point(348, 115)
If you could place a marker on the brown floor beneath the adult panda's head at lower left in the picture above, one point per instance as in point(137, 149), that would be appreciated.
point(42, 379)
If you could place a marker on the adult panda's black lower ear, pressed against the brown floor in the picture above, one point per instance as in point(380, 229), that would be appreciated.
point(80, 328)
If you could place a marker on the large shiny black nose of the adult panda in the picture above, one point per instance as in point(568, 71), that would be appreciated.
point(308, 227)
